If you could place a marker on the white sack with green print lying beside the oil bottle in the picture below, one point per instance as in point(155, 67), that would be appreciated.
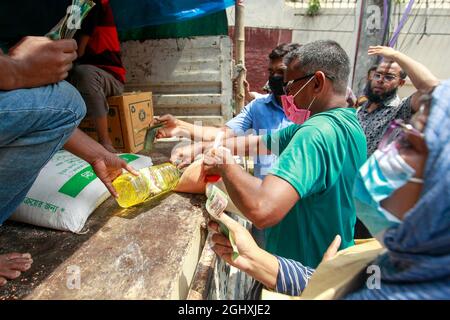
point(66, 192)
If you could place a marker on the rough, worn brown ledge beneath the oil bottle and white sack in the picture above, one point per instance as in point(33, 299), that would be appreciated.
point(146, 252)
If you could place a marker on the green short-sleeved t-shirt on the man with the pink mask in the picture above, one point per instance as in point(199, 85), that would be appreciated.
point(320, 160)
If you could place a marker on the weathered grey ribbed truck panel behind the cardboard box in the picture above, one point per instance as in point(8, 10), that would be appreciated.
point(190, 77)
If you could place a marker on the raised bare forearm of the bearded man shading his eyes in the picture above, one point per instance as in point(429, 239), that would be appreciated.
point(421, 76)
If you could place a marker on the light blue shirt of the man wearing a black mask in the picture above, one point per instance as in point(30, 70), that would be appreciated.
point(260, 117)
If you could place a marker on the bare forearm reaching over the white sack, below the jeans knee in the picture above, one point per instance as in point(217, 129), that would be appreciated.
point(84, 147)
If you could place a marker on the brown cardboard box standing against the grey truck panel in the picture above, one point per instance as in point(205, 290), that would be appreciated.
point(129, 115)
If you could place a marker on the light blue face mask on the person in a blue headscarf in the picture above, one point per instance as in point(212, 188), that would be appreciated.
point(382, 174)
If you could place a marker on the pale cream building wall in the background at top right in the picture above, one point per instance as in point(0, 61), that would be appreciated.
point(425, 37)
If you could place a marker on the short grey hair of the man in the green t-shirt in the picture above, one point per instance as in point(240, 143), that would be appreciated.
point(326, 56)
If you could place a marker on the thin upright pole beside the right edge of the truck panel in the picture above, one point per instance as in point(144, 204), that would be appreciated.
point(239, 38)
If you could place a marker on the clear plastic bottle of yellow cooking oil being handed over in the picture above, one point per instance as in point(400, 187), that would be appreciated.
point(151, 182)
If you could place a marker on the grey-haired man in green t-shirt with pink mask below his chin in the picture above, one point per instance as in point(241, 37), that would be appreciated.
point(306, 200)
